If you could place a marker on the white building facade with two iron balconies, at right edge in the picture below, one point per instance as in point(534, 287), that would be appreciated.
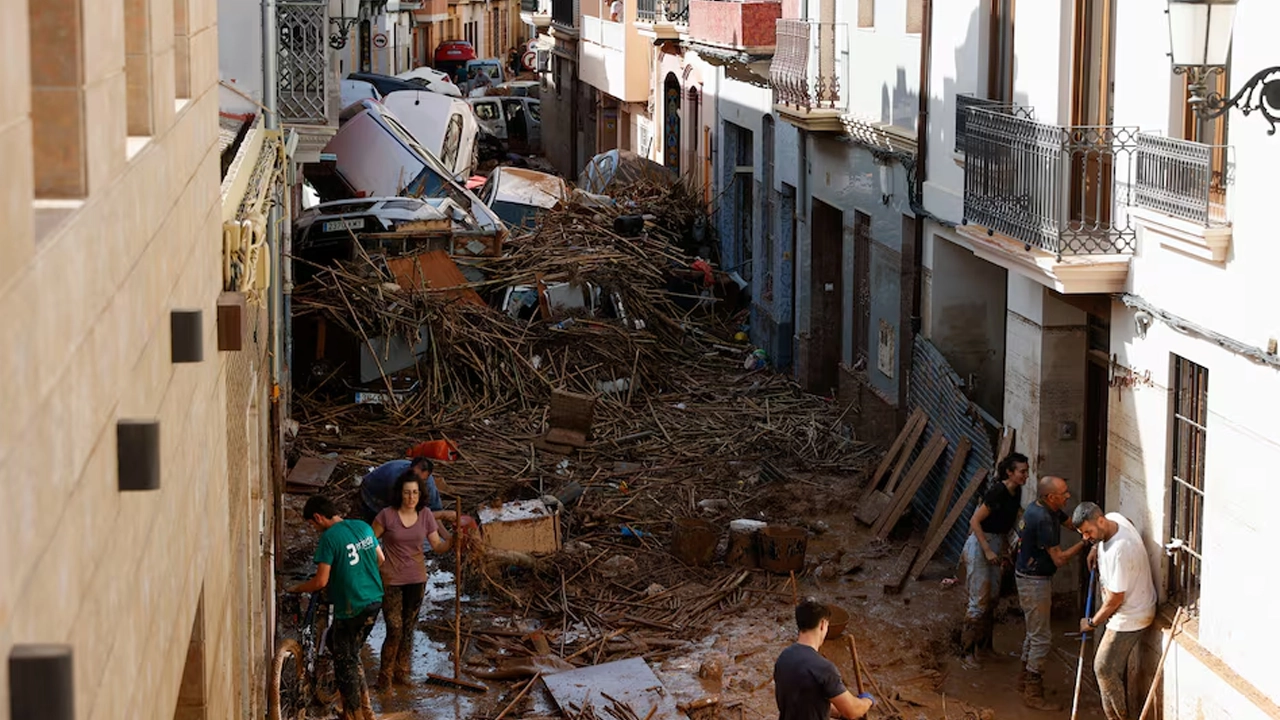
point(1095, 271)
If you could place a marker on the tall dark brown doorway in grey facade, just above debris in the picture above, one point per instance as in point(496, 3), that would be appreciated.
point(826, 298)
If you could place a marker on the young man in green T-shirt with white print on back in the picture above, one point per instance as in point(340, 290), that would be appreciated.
point(348, 559)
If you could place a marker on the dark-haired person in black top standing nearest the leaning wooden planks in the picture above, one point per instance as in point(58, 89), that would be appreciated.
point(989, 531)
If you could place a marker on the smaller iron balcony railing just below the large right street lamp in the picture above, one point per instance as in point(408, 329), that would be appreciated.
point(1183, 180)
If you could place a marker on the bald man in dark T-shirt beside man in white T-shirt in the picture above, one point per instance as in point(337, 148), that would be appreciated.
point(1039, 559)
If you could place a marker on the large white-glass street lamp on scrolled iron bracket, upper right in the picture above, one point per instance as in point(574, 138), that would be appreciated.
point(1200, 38)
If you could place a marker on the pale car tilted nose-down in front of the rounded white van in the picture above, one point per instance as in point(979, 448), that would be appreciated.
point(378, 157)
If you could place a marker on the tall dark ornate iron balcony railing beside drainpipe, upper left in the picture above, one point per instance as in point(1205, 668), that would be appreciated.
point(304, 62)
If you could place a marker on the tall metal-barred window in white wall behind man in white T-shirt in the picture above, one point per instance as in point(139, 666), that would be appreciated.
point(1190, 421)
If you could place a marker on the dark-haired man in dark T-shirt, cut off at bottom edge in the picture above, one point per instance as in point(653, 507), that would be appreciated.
point(807, 685)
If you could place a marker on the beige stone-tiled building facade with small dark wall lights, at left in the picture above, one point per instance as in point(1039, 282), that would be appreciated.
point(136, 443)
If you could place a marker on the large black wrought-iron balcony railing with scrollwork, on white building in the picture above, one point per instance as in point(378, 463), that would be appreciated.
point(1060, 189)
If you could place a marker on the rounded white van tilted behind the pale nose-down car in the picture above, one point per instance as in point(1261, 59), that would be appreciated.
point(446, 126)
